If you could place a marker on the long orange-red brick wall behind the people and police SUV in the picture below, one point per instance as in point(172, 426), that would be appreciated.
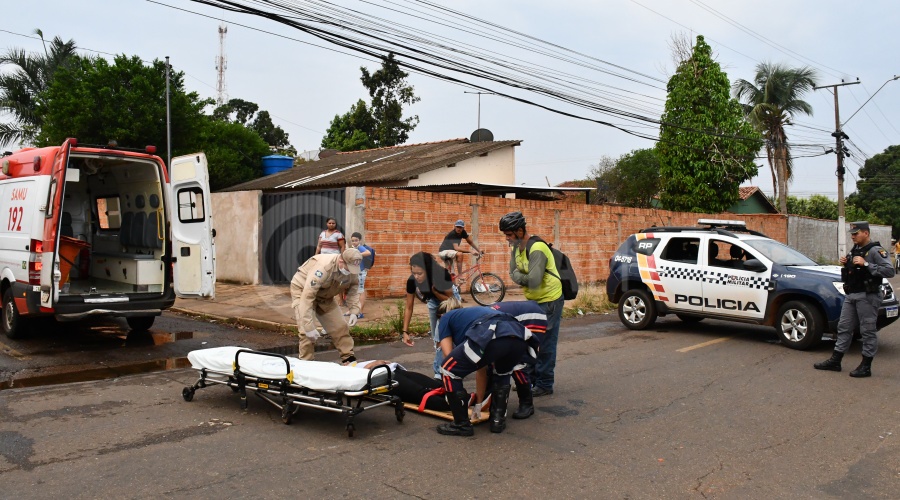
point(400, 223)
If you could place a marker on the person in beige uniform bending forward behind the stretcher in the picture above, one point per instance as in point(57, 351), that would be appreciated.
point(313, 289)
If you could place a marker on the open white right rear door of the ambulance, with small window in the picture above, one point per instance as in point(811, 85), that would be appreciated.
point(190, 216)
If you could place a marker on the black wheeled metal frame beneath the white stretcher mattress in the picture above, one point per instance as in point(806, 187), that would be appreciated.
point(289, 397)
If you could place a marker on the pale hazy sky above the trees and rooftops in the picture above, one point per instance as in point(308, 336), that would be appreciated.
point(620, 48)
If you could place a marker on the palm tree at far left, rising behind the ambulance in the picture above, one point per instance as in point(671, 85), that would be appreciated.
point(20, 88)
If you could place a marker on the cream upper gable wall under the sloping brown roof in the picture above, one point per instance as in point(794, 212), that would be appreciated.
point(498, 167)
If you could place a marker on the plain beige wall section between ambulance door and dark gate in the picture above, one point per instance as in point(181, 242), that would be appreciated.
point(237, 218)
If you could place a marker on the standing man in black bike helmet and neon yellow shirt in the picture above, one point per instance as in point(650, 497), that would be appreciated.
point(536, 272)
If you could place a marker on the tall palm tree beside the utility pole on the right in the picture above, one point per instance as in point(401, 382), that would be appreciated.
point(770, 103)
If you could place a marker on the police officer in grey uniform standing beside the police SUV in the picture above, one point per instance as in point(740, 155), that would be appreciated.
point(862, 275)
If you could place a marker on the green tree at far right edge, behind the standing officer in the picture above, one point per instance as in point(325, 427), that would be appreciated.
point(878, 185)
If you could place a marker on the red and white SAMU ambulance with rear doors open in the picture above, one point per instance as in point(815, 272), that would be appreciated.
point(102, 231)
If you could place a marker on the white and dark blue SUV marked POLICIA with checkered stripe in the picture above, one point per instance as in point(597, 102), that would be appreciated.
point(725, 271)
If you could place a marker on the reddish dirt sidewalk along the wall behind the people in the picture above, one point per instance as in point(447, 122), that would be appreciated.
point(268, 307)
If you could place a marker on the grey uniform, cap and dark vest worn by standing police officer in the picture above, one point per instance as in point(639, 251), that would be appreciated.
point(862, 287)
